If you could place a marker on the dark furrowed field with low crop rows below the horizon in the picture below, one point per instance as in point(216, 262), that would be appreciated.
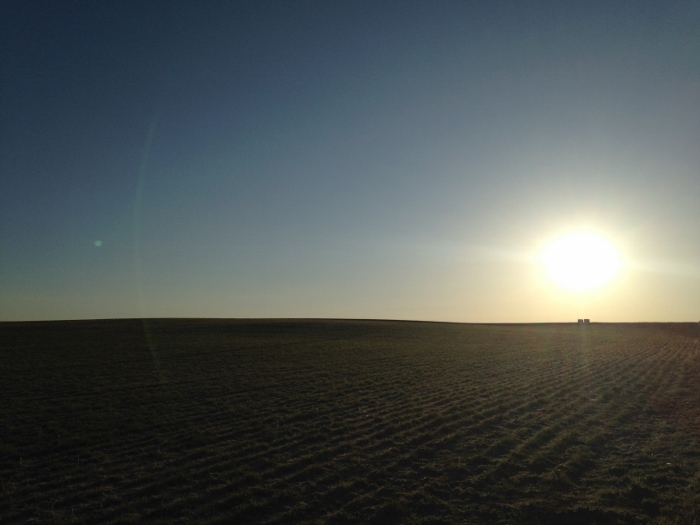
point(313, 421)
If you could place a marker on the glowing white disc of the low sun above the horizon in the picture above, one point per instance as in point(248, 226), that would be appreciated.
point(581, 261)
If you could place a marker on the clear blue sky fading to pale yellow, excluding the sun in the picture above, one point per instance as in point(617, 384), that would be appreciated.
point(350, 159)
